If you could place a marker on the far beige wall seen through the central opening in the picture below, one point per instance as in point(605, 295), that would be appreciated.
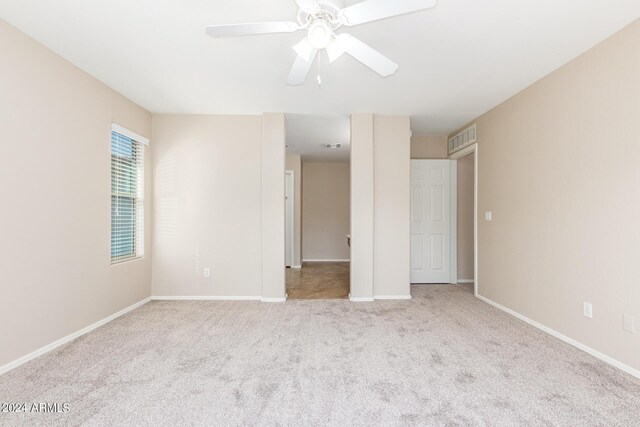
point(325, 210)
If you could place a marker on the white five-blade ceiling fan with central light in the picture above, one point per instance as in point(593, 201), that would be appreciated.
point(321, 18)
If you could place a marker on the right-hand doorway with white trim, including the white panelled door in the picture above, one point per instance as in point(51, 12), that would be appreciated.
point(444, 220)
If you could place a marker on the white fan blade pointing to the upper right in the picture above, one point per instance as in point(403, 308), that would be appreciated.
point(373, 10)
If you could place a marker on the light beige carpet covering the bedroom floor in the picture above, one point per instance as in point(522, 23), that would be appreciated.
point(443, 358)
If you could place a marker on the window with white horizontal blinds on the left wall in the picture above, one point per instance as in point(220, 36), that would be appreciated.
point(127, 198)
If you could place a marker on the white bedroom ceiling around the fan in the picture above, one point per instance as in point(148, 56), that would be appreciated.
point(456, 61)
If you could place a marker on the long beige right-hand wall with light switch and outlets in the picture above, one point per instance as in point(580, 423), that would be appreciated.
point(559, 166)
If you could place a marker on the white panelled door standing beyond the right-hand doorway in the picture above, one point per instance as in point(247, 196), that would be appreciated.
point(431, 224)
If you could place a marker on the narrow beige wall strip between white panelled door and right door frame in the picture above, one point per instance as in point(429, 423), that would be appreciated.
point(465, 217)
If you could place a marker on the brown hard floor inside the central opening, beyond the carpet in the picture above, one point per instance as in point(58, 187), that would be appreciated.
point(318, 280)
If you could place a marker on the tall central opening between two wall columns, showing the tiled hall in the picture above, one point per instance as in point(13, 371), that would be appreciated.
point(317, 223)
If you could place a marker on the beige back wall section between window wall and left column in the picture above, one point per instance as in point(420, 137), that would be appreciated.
point(208, 196)
